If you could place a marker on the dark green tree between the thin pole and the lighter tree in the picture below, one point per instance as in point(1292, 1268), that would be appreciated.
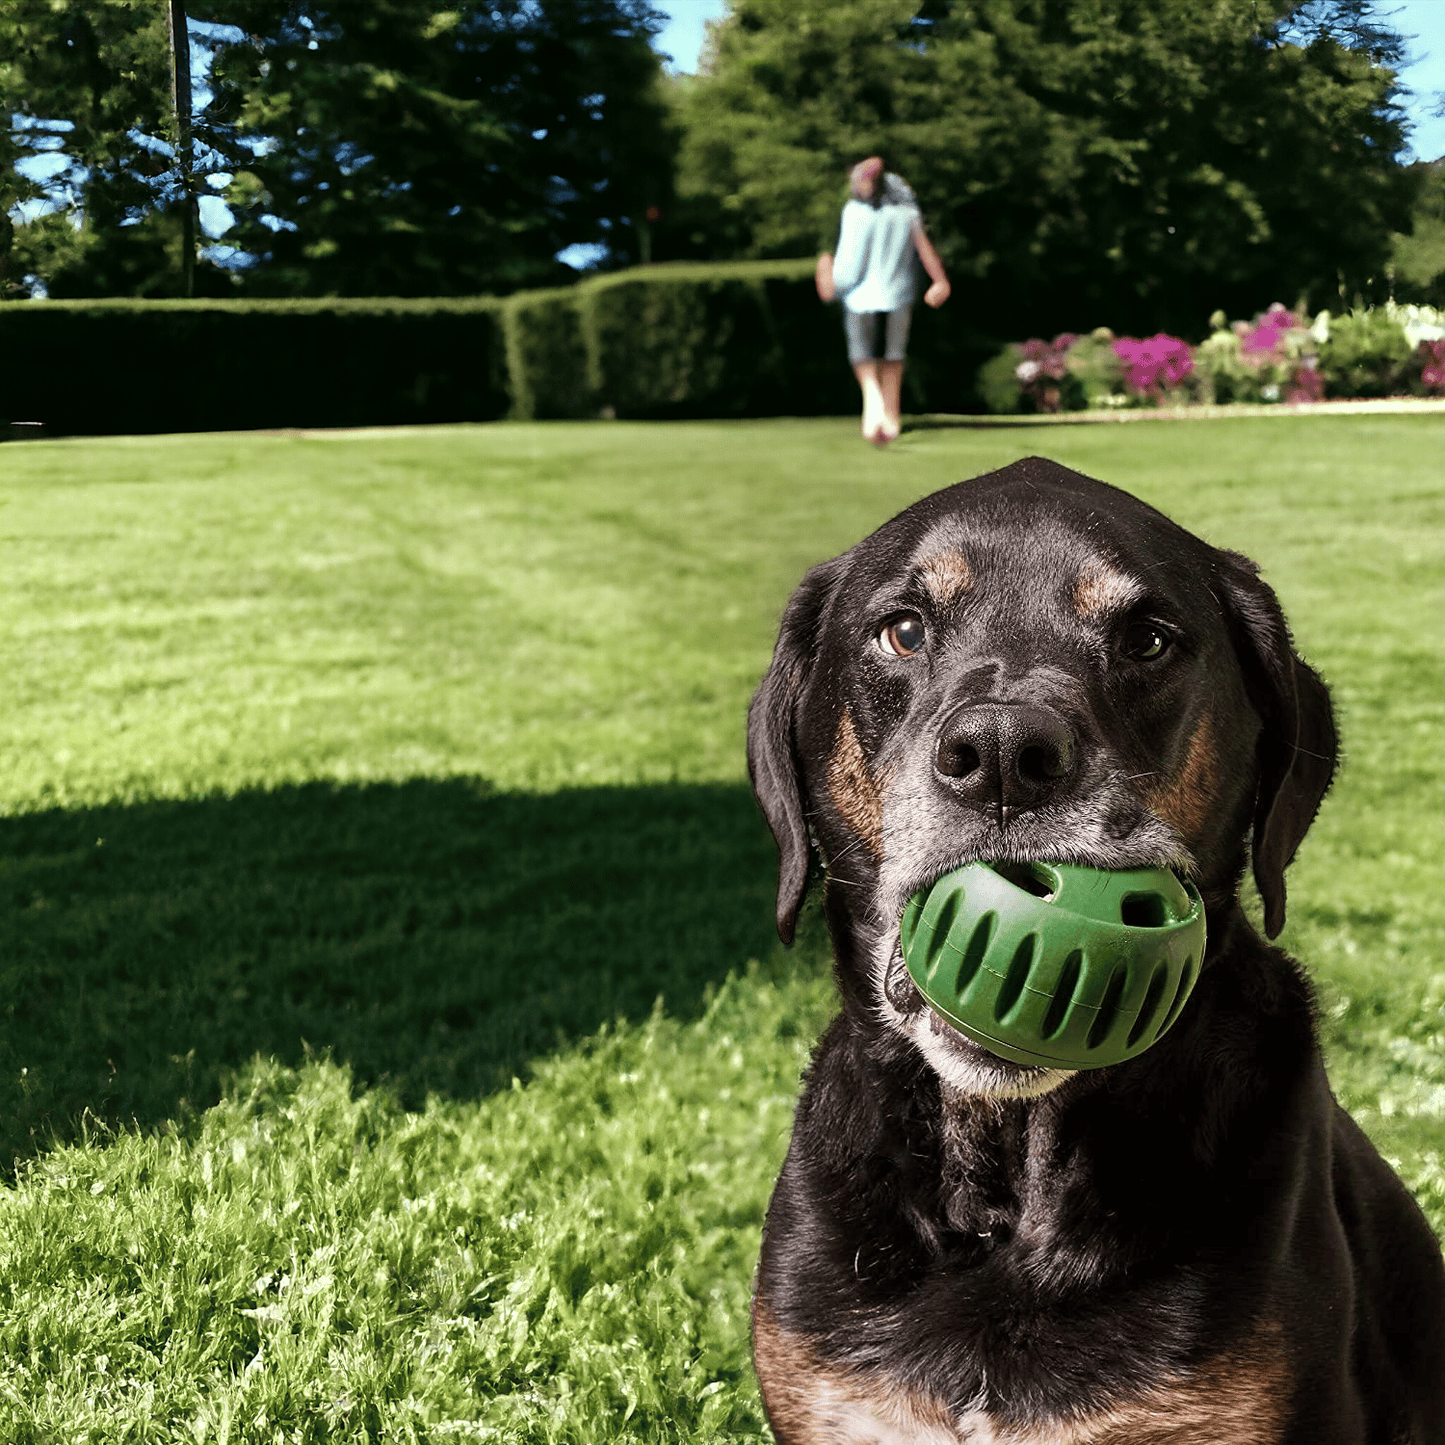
point(414, 148)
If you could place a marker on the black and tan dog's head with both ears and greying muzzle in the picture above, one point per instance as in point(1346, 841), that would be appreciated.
point(1030, 667)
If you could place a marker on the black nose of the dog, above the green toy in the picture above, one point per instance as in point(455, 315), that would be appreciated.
point(1005, 758)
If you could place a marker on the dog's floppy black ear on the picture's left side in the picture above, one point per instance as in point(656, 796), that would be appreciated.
point(772, 739)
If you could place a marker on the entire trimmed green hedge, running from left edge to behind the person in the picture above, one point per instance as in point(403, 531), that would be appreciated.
point(738, 339)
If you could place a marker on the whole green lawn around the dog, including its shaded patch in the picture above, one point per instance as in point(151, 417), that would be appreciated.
point(362, 797)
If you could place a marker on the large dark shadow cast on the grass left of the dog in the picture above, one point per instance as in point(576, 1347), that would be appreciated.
point(430, 934)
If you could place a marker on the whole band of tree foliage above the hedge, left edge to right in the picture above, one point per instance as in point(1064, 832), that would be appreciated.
point(1129, 163)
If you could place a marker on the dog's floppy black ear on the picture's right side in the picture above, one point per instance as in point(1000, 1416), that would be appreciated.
point(1298, 746)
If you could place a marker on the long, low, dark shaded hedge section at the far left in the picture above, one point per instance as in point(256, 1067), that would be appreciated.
point(177, 366)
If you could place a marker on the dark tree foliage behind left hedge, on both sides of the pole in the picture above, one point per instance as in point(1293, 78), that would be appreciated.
point(391, 148)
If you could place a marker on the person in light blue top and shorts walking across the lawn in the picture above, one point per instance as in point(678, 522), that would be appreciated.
point(875, 277)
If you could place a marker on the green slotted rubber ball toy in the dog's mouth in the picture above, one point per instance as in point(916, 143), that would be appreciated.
point(1053, 965)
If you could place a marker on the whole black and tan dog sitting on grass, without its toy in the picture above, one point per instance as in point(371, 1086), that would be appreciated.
point(1196, 1246)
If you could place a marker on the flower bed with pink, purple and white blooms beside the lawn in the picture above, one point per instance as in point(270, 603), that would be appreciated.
point(1281, 356)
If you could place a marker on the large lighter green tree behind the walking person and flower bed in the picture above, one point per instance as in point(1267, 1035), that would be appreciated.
point(1080, 163)
